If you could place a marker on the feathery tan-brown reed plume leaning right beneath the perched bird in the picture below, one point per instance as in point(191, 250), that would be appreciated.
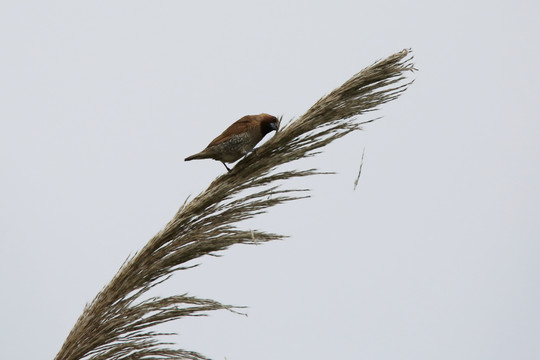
point(117, 323)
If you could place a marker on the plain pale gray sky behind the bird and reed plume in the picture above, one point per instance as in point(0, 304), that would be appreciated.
point(434, 256)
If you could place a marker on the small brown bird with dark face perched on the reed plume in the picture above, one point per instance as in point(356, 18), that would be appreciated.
point(238, 139)
